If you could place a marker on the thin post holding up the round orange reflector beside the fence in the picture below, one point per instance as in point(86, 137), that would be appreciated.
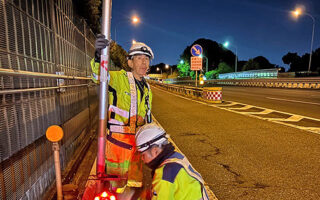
point(55, 148)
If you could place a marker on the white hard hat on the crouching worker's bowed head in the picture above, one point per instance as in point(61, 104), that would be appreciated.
point(149, 135)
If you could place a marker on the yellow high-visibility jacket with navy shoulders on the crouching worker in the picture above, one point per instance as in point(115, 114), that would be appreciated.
point(176, 179)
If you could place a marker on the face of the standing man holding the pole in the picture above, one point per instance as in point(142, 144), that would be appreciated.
point(139, 65)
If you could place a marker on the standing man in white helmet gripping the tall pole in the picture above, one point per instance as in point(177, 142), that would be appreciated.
point(129, 108)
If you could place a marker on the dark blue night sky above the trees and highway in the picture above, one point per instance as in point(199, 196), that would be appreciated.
point(255, 27)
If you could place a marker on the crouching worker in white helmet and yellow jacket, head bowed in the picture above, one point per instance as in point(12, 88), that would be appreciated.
point(173, 175)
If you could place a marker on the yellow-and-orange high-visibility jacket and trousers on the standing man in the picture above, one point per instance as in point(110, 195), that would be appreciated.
point(128, 110)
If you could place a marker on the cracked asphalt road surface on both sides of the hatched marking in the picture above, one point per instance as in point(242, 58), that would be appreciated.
point(244, 157)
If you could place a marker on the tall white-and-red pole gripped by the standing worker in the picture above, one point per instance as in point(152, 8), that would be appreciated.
point(103, 101)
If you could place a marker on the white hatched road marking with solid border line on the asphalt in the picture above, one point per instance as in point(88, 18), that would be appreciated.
point(265, 111)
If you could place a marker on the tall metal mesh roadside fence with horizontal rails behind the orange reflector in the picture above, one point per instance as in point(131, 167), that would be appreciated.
point(41, 43)
